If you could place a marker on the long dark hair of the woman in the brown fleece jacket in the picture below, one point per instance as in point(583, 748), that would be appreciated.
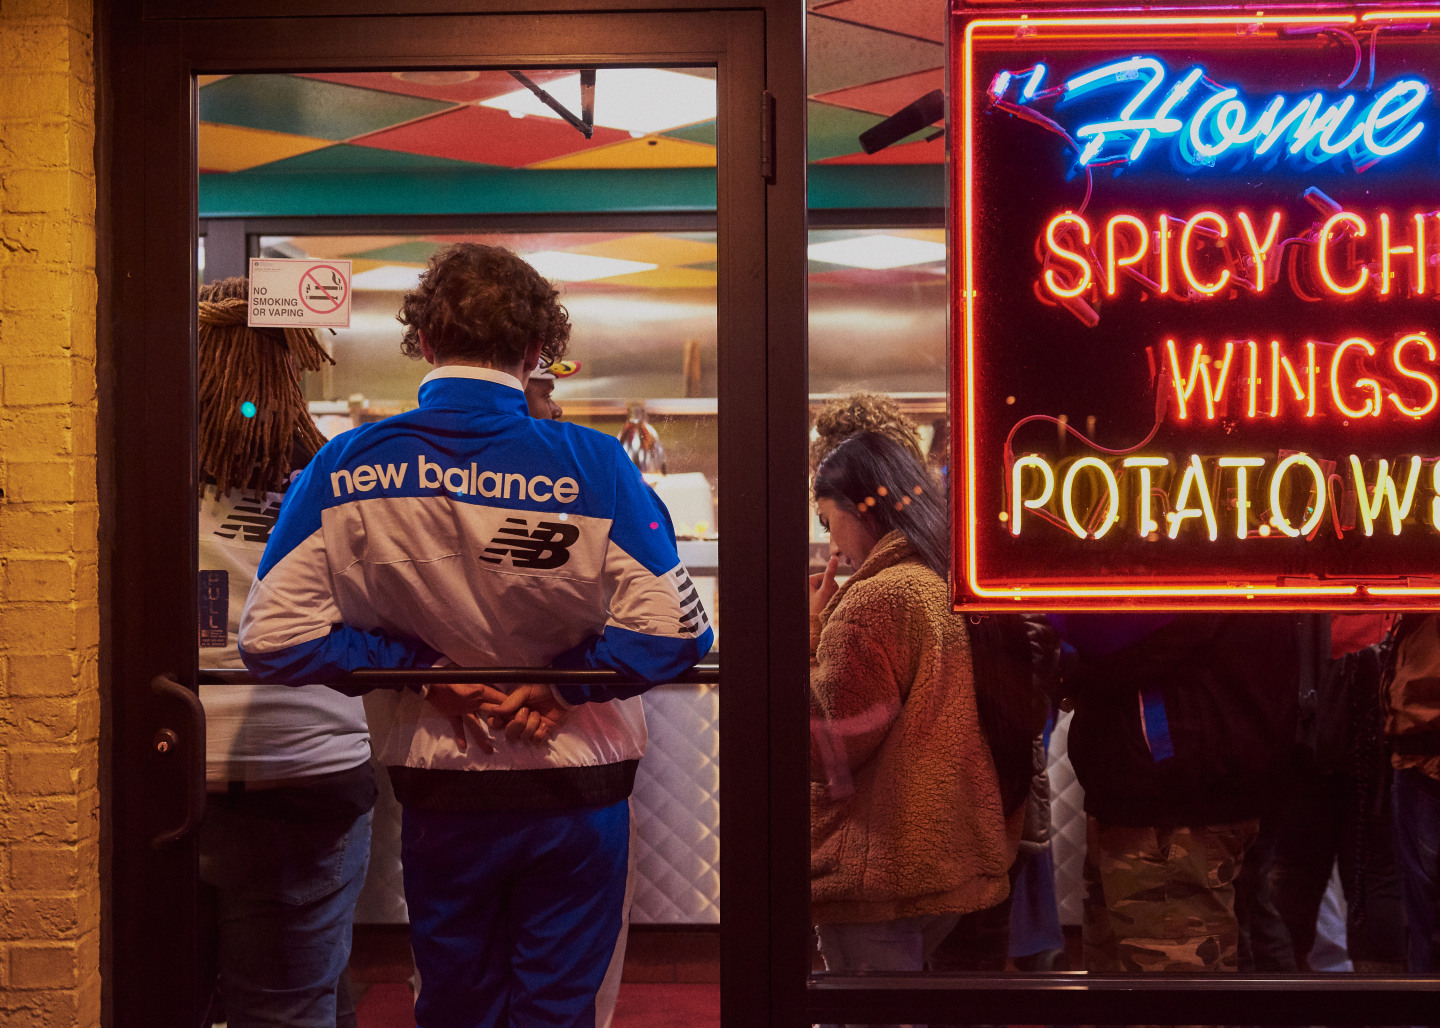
point(882, 482)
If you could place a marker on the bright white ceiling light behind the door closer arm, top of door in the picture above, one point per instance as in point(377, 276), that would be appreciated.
point(634, 100)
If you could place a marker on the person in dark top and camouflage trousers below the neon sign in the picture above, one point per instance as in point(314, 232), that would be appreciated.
point(1182, 734)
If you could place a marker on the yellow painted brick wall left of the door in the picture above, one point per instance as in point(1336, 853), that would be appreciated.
point(50, 623)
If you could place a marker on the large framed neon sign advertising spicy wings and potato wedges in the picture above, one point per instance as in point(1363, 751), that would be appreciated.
point(1176, 388)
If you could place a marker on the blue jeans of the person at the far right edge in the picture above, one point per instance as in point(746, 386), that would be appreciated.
point(1418, 853)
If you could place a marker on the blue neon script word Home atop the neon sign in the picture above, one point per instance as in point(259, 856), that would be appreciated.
point(1212, 122)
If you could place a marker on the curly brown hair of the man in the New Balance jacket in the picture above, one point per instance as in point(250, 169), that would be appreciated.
point(485, 305)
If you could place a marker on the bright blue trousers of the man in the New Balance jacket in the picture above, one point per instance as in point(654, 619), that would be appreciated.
point(515, 915)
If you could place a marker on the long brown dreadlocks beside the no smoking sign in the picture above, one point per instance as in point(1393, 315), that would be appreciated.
point(260, 366)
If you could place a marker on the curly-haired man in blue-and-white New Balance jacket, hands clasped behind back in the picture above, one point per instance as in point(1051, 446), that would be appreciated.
point(469, 533)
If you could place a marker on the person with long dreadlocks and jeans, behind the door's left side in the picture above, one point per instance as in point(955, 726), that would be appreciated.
point(286, 837)
